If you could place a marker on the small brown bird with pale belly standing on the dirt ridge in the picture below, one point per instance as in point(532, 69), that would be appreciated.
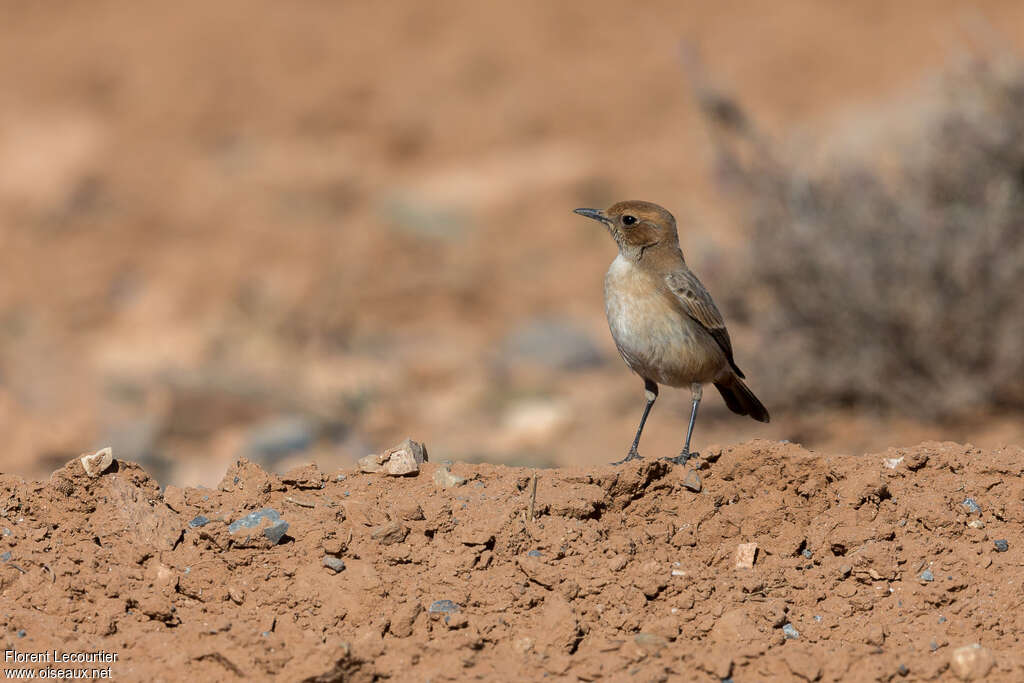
point(664, 322)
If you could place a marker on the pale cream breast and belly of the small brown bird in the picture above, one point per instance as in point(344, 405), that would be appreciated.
point(657, 341)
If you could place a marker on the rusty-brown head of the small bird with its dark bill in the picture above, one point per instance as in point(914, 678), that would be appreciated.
point(638, 228)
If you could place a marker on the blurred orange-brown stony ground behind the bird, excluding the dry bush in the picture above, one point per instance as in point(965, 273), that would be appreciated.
point(304, 232)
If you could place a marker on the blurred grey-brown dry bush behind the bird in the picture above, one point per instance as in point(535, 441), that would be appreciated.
point(897, 288)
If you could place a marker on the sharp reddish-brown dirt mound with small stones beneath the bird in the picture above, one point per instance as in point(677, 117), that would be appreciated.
point(868, 568)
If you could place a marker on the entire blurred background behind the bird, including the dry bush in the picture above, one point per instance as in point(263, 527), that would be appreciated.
point(306, 231)
